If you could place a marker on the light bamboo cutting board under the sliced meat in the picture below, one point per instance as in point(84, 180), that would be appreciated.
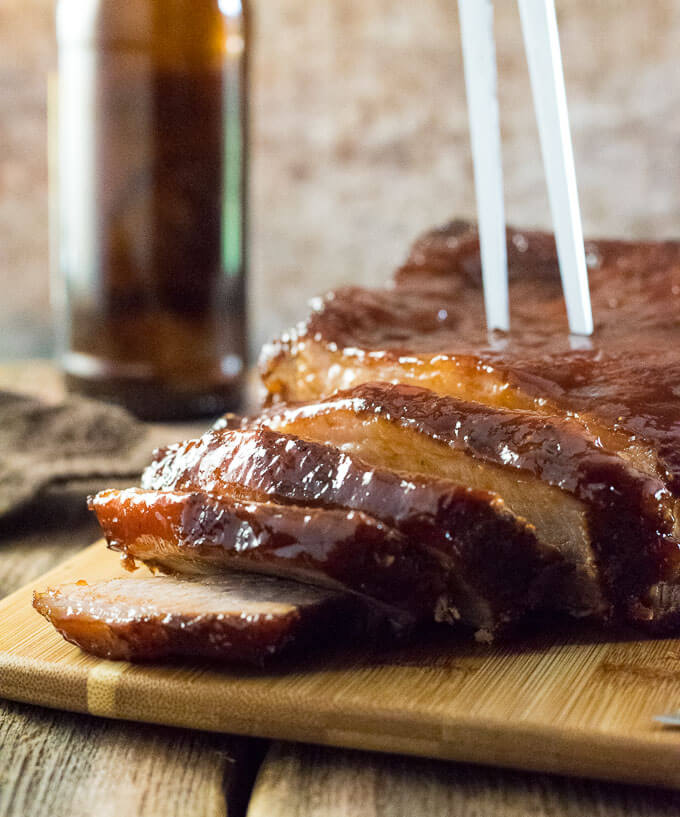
point(571, 705)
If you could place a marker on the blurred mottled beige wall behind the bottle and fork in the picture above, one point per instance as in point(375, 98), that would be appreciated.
point(360, 140)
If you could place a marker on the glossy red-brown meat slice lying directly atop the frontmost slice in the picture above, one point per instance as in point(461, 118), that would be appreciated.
point(202, 534)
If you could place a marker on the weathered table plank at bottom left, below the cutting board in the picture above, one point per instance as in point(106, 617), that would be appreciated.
point(62, 764)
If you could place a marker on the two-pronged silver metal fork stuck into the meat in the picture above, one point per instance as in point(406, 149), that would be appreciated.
point(542, 47)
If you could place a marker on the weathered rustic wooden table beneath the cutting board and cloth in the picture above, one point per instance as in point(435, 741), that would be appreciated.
point(59, 764)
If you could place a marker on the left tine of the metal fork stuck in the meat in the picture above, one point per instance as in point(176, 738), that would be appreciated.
point(479, 58)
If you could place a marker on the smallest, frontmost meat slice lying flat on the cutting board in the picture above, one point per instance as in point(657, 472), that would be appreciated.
point(240, 618)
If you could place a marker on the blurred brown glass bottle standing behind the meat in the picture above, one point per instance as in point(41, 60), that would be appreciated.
point(152, 107)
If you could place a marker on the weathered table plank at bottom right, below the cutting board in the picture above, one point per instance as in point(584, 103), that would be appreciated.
point(314, 781)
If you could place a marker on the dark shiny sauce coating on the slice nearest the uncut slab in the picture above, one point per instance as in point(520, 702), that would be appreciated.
point(630, 514)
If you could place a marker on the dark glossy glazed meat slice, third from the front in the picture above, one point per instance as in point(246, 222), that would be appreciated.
point(495, 567)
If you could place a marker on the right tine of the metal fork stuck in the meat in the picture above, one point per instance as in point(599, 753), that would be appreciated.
point(542, 46)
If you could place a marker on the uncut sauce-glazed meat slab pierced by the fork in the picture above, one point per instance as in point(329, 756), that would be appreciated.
point(429, 330)
